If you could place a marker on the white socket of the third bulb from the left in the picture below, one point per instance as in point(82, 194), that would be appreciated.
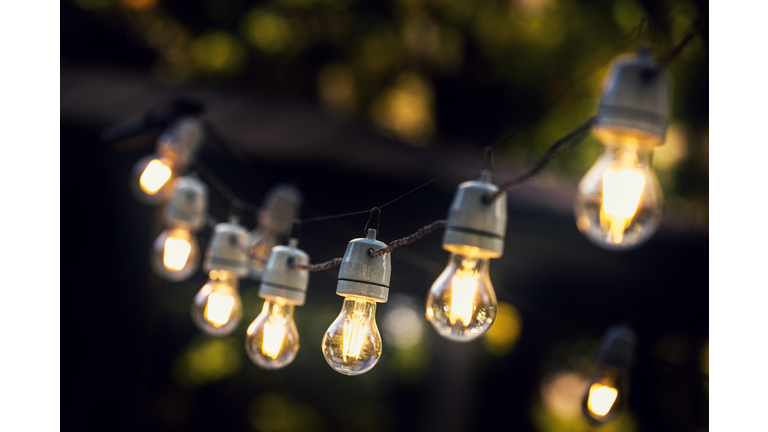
point(227, 249)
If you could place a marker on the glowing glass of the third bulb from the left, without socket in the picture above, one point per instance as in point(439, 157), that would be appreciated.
point(217, 307)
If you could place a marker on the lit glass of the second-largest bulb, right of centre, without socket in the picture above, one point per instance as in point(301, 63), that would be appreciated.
point(461, 304)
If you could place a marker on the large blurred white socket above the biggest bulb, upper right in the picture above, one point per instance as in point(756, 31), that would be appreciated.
point(635, 98)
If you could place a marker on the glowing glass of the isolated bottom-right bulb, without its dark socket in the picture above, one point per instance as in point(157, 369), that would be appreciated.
point(604, 398)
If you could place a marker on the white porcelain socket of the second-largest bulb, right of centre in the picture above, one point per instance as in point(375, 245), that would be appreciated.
point(474, 226)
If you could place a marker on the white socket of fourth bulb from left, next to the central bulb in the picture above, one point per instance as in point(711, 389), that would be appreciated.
point(281, 280)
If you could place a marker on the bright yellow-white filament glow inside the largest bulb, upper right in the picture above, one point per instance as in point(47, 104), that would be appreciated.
point(621, 195)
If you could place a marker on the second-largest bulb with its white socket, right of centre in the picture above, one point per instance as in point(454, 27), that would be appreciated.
point(461, 305)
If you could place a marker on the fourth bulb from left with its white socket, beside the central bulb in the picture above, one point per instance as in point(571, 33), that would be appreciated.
point(272, 340)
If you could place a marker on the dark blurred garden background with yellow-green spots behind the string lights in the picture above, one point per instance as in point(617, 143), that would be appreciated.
point(356, 103)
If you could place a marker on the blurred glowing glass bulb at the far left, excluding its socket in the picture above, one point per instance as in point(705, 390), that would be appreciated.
point(151, 179)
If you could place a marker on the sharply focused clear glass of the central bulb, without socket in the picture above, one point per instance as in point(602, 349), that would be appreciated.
point(352, 344)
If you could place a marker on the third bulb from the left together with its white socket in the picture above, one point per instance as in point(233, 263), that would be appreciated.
point(217, 307)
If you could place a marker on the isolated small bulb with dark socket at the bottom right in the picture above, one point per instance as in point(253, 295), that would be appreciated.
point(607, 390)
